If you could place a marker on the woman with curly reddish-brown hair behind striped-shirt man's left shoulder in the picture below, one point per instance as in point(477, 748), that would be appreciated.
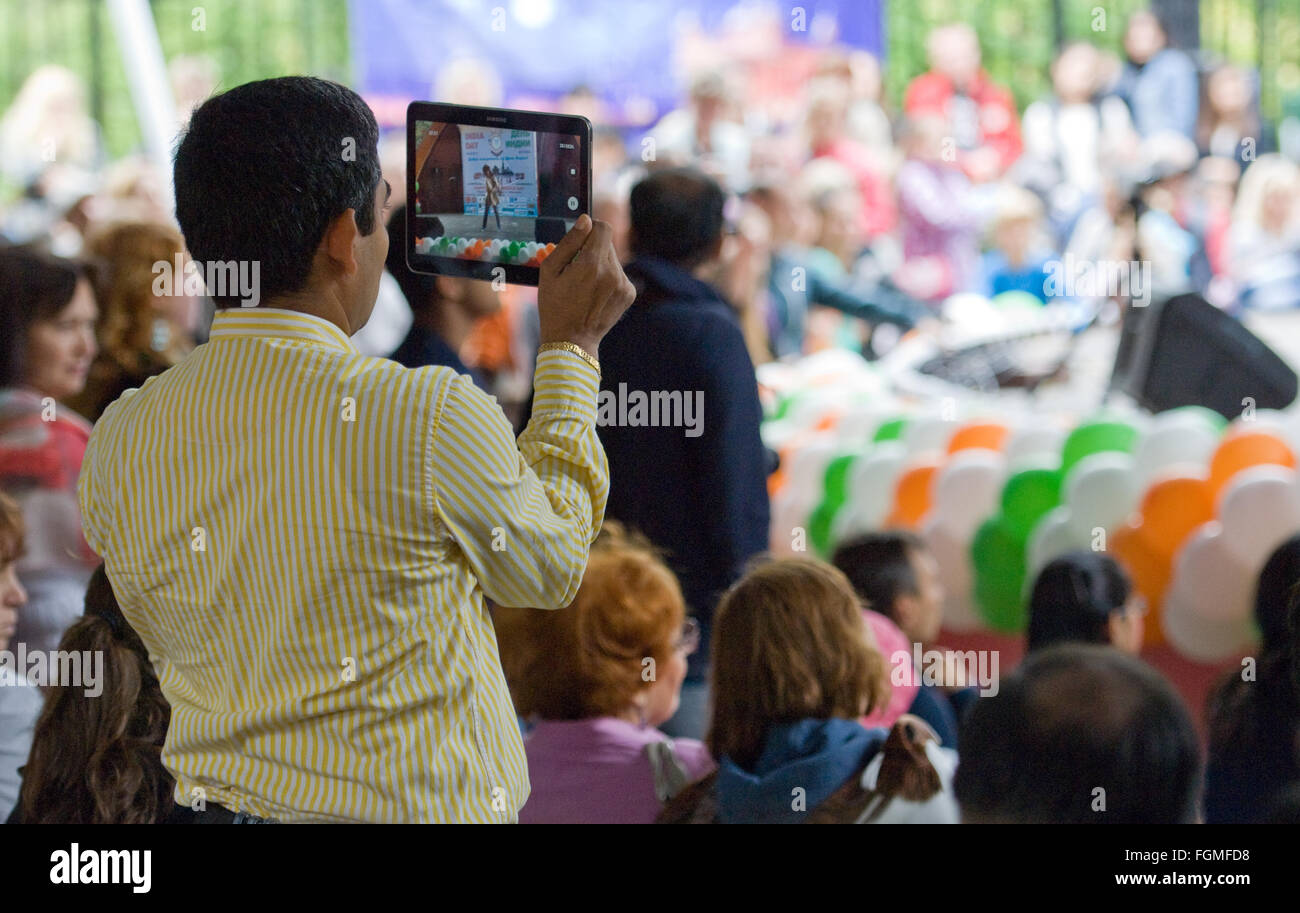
point(146, 324)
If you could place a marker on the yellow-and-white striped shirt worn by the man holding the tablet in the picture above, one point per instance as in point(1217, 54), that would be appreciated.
point(304, 538)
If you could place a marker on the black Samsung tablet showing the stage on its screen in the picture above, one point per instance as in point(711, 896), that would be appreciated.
point(492, 191)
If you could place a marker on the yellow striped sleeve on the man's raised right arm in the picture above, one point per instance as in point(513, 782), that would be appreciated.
point(525, 513)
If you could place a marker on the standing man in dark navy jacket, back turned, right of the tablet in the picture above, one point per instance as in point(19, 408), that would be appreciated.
point(679, 413)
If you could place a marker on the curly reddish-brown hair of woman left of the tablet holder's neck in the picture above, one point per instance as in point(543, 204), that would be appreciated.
point(127, 254)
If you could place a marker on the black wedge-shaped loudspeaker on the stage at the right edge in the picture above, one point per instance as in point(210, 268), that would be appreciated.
point(1185, 352)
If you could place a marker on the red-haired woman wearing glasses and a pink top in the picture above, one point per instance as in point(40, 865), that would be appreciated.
point(596, 681)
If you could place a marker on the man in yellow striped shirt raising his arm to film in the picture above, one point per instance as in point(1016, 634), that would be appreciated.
point(304, 536)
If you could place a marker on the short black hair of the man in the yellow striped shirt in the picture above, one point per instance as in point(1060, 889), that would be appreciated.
point(265, 168)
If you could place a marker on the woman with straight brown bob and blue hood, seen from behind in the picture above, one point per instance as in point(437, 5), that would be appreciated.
point(794, 669)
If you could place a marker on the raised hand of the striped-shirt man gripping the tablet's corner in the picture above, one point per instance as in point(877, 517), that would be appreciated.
point(583, 291)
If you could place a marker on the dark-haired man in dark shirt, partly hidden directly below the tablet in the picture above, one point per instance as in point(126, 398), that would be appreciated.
point(445, 309)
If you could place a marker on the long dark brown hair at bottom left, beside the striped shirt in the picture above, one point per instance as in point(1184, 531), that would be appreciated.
point(97, 759)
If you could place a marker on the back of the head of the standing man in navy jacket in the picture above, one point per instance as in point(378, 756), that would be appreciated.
point(677, 215)
